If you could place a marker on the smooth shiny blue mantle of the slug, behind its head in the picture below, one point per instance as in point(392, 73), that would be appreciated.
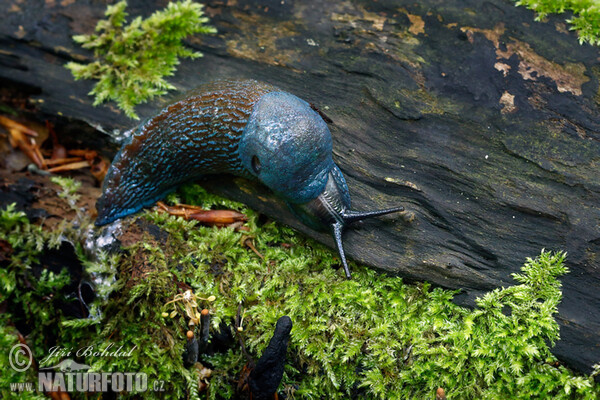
point(287, 146)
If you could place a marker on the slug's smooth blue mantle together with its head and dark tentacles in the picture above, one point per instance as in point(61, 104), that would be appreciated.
point(287, 146)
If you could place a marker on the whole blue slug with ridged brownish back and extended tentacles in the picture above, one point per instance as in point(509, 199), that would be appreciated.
point(246, 128)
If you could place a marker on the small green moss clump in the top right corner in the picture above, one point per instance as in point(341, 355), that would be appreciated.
point(586, 20)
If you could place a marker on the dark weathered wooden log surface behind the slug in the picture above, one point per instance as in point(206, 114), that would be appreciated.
point(483, 123)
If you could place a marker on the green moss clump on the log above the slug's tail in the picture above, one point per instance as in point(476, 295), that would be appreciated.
point(132, 61)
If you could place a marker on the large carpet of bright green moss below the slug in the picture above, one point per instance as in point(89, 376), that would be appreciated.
point(372, 336)
